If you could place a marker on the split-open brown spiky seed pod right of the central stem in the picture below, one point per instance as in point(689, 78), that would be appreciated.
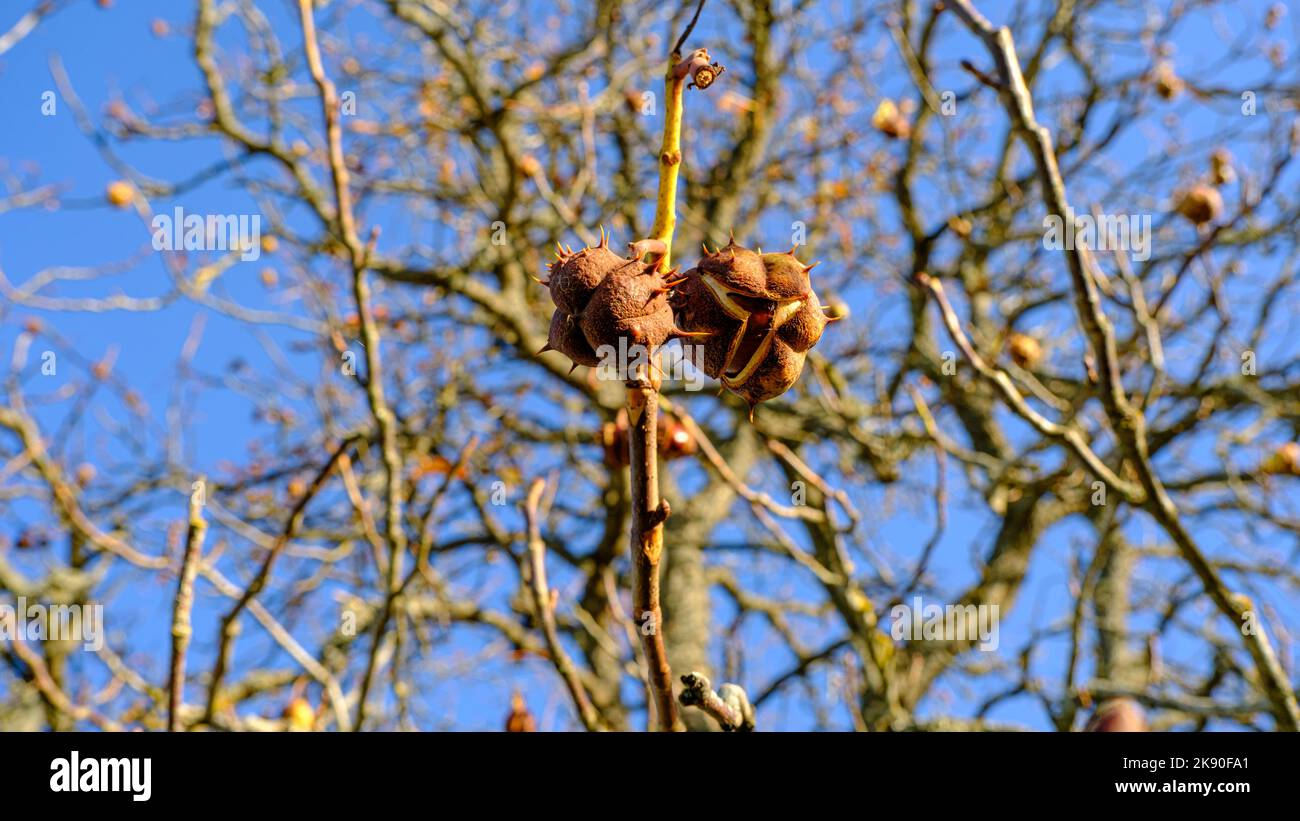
point(761, 315)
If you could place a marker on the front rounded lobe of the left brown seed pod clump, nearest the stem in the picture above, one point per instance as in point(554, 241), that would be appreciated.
point(631, 303)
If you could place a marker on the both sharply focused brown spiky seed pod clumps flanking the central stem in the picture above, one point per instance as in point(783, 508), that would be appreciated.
point(755, 314)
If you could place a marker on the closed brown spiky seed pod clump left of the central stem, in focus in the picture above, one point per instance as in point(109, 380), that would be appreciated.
point(603, 299)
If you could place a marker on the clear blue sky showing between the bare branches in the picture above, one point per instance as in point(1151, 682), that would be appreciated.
point(111, 53)
